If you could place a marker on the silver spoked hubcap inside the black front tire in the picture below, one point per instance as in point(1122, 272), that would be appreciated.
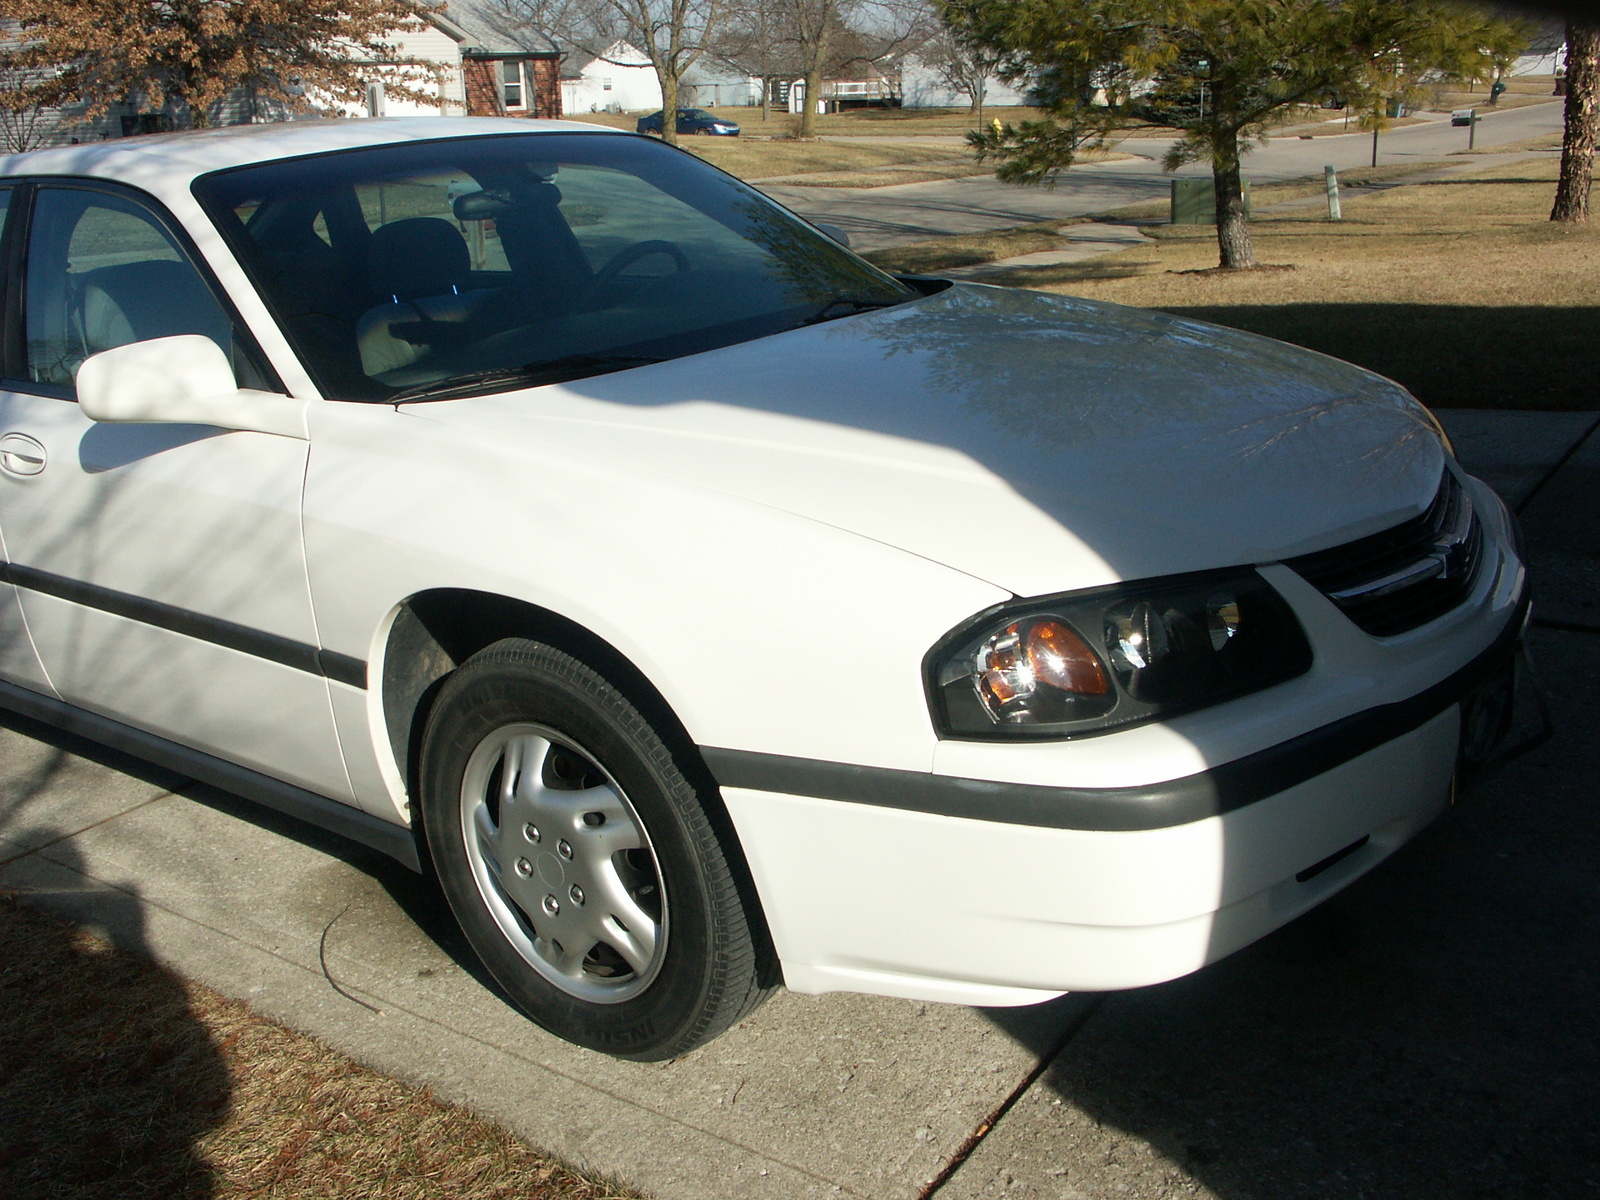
point(527, 788)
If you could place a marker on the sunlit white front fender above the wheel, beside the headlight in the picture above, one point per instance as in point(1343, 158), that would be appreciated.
point(762, 631)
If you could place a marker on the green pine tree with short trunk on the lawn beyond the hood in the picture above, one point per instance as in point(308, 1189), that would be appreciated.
point(1218, 71)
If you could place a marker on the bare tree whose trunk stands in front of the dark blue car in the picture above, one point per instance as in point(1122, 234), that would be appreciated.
point(673, 34)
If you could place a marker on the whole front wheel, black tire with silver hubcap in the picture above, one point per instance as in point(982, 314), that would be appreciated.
point(582, 862)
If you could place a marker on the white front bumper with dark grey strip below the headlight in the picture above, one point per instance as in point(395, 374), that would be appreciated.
point(974, 892)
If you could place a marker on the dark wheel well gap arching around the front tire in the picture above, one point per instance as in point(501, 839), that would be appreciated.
point(438, 631)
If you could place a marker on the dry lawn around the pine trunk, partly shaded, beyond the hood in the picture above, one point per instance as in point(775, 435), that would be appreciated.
point(1462, 290)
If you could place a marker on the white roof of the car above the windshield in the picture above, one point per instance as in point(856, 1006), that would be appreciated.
point(167, 162)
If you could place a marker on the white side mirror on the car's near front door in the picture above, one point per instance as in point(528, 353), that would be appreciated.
point(183, 380)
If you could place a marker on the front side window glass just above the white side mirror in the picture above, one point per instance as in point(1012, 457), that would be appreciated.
point(102, 273)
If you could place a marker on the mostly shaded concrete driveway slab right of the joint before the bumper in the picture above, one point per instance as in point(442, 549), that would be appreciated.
point(1431, 1033)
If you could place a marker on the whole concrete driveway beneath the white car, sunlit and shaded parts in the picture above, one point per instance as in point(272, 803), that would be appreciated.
point(1426, 1034)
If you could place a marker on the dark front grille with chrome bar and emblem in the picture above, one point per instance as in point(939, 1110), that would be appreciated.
point(1406, 577)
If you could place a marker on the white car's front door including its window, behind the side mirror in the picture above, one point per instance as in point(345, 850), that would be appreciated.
point(159, 567)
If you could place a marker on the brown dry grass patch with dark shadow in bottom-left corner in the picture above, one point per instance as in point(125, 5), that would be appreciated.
point(119, 1079)
